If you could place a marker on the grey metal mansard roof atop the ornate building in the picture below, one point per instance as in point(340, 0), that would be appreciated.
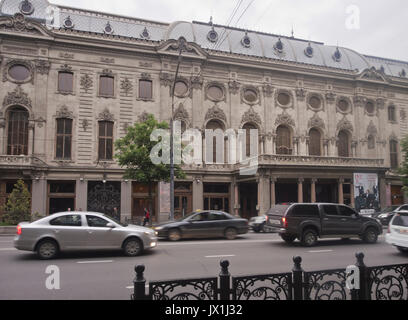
point(228, 40)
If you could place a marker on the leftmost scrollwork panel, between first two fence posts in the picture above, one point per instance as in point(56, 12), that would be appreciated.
point(193, 289)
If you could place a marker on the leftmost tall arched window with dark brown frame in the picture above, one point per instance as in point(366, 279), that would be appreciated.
point(17, 138)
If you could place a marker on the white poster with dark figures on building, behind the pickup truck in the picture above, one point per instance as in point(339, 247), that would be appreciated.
point(366, 192)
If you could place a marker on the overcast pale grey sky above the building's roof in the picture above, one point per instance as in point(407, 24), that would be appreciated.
point(373, 27)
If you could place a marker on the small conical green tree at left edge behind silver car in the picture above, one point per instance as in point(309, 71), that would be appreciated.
point(18, 207)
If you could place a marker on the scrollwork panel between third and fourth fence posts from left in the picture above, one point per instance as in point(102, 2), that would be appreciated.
point(326, 285)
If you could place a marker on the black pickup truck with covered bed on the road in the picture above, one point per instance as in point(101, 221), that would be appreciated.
point(309, 222)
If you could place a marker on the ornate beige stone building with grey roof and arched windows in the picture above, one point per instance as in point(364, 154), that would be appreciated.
point(72, 82)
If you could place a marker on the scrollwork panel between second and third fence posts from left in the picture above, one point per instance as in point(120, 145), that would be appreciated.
point(267, 287)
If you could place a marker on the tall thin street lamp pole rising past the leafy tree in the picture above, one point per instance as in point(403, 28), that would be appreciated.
point(181, 42)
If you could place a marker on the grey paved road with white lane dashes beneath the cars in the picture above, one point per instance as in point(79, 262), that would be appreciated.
point(109, 275)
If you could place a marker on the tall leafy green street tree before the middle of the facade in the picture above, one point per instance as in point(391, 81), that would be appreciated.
point(133, 154)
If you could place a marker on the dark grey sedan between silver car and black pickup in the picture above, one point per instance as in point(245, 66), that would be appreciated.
point(204, 224)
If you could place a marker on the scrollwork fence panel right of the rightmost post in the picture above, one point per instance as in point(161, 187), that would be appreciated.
point(388, 283)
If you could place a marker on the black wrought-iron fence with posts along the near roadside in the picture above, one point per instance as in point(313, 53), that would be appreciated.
point(358, 283)
